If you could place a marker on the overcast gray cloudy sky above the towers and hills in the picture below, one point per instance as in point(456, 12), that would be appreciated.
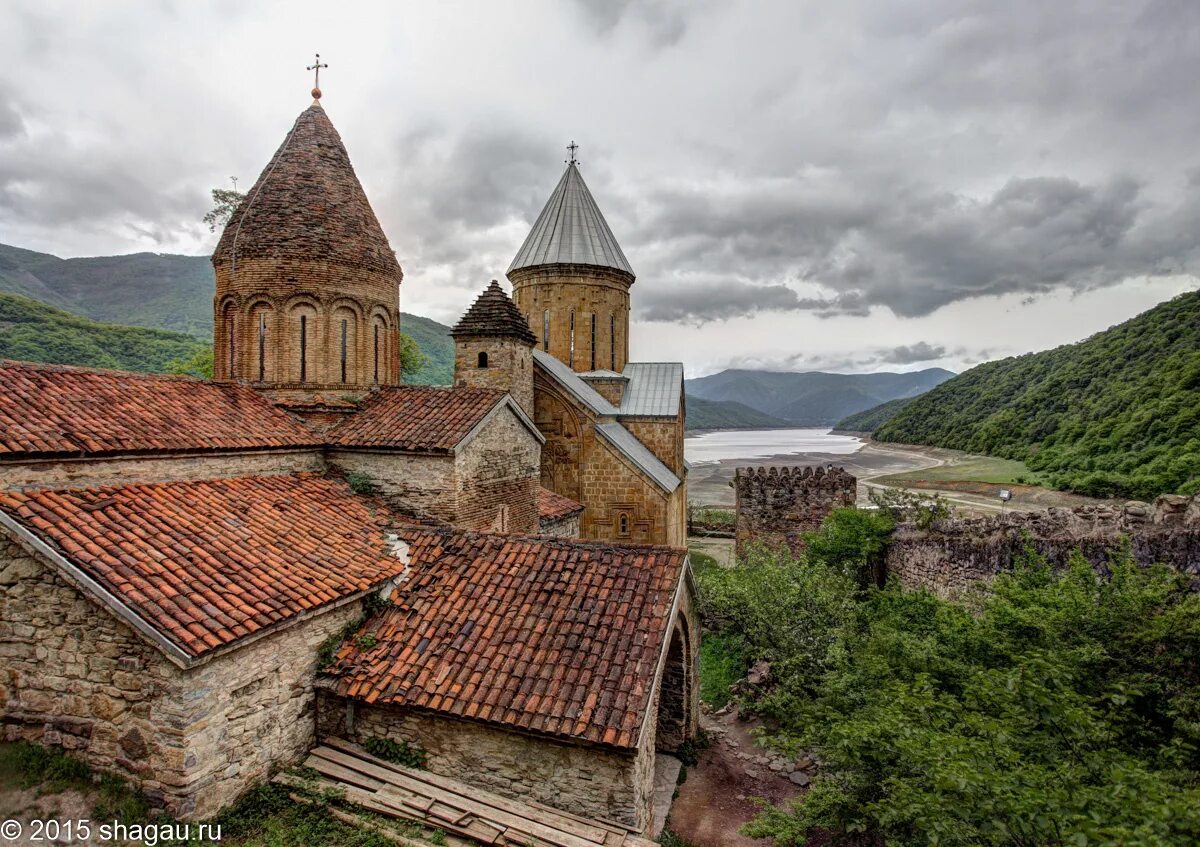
point(855, 185)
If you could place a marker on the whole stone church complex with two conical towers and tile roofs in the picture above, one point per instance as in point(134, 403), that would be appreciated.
point(202, 579)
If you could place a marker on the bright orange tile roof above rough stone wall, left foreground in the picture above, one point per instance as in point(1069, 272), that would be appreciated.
point(211, 563)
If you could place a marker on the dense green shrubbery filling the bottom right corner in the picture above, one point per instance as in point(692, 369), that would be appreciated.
point(1059, 708)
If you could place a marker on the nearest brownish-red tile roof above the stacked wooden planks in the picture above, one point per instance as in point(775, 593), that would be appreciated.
point(544, 635)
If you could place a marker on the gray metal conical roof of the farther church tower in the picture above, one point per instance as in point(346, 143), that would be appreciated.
point(572, 231)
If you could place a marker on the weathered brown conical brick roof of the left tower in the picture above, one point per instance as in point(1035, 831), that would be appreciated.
point(309, 205)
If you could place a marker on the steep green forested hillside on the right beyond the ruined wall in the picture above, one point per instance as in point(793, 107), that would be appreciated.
point(1115, 416)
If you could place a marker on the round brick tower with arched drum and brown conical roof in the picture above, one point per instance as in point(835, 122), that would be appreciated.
point(308, 287)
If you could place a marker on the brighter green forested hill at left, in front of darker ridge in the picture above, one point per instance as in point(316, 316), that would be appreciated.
point(34, 332)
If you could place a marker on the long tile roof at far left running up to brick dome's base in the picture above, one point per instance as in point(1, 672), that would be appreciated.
point(56, 410)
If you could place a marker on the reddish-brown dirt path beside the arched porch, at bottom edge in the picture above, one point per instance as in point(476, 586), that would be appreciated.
point(718, 796)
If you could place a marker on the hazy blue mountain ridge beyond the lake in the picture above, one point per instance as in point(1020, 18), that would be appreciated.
point(813, 399)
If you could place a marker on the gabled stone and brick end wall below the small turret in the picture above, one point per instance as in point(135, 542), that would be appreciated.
point(497, 477)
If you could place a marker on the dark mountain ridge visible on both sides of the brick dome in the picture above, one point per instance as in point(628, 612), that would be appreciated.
point(164, 292)
